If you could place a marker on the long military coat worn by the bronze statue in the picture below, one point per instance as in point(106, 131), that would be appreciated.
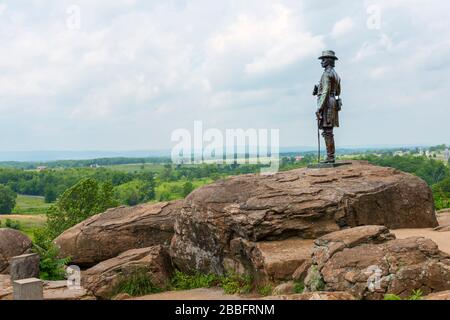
point(329, 88)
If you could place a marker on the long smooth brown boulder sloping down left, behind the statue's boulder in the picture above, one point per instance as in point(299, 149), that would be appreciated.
point(108, 234)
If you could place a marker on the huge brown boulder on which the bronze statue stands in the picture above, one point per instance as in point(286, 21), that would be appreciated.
point(303, 203)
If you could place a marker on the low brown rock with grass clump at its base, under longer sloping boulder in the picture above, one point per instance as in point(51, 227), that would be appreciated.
point(153, 262)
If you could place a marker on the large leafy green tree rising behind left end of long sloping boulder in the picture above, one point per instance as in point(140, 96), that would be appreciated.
point(83, 200)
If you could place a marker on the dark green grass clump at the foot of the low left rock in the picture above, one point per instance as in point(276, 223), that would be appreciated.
point(135, 282)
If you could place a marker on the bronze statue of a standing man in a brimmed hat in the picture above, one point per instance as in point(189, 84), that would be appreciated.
point(328, 103)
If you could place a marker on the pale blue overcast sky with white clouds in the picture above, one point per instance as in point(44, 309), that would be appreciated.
point(123, 74)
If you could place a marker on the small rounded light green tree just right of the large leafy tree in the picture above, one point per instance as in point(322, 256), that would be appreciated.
point(134, 192)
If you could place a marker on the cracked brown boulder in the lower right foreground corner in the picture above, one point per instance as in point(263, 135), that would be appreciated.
point(369, 262)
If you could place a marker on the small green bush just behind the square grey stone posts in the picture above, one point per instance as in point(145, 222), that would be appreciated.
point(51, 266)
